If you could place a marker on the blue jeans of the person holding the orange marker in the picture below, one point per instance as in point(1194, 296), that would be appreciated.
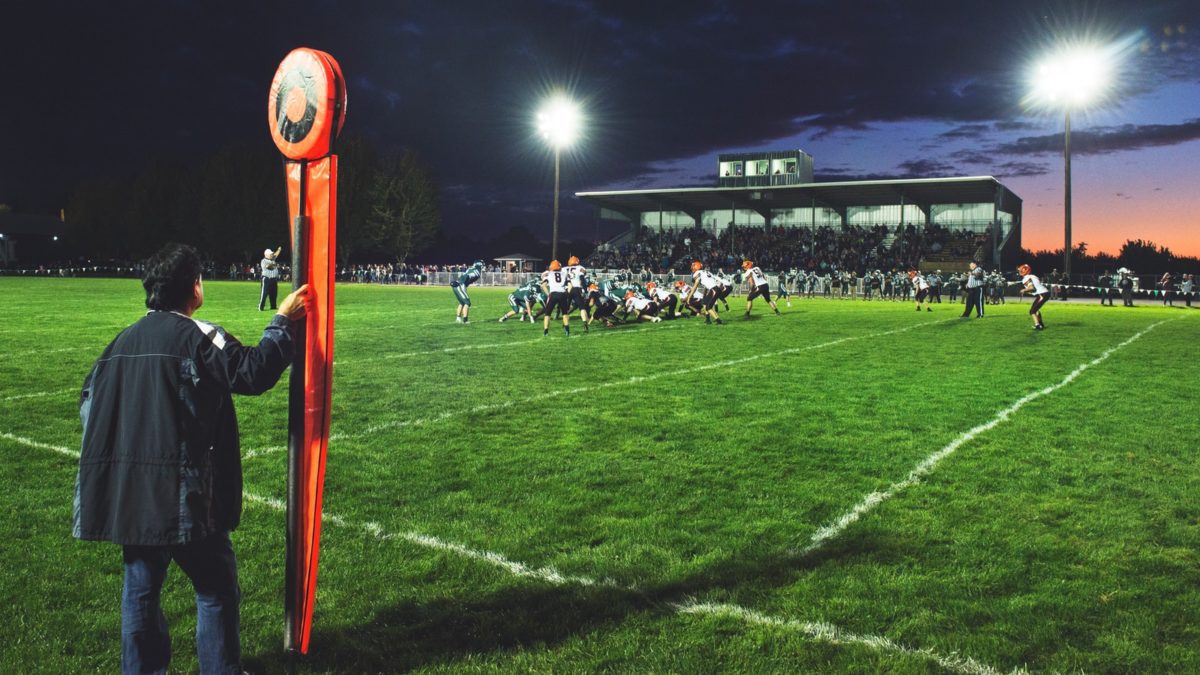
point(213, 569)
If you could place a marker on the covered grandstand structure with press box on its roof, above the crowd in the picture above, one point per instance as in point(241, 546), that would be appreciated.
point(974, 218)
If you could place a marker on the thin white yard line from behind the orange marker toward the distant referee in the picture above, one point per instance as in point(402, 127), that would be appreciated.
point(635, 380)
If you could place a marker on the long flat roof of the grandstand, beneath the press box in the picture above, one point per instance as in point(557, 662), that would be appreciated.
point(967, 190)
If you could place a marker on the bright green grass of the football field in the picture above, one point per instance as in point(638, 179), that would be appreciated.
point(662, 468)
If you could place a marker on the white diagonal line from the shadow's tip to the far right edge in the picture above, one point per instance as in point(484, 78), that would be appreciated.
point(875, 499)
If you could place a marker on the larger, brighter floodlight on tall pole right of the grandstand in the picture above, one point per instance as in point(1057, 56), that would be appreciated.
point(1072, 79)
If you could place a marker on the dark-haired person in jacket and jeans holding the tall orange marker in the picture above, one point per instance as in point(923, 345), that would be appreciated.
point(160, 469)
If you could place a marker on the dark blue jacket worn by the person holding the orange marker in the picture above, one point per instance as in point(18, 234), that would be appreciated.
point(160, 462)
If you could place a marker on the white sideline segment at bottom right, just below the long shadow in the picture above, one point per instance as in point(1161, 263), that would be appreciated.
point(823, 632)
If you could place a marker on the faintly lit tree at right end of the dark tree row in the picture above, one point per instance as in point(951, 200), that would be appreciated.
point(405, 217)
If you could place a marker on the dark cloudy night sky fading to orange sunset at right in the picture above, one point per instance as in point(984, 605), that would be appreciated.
point(901, 89)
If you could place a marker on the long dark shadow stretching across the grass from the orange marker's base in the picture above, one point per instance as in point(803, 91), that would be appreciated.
point(445, 632)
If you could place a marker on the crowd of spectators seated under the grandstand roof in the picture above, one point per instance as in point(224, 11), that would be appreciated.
point(853, 248)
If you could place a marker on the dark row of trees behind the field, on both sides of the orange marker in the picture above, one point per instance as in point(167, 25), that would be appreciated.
point(235, 205)
